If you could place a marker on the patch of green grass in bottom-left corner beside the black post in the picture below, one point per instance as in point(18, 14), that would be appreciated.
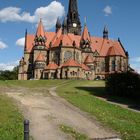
point(11, 120)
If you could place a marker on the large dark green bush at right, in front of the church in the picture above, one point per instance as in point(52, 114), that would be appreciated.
point(124, 84)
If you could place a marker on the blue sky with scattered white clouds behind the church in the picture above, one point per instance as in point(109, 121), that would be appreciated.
point(121, 17)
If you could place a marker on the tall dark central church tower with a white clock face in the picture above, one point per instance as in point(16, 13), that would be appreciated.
point(73, 20)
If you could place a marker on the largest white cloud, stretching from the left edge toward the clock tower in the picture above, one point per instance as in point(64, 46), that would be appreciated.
point(48, 14)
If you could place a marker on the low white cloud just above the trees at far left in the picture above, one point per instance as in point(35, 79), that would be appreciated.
point(8, 66)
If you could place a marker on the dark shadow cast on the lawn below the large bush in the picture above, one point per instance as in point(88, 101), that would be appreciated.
point(101, 92)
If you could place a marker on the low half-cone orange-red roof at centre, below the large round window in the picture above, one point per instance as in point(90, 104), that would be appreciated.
point(71, 63)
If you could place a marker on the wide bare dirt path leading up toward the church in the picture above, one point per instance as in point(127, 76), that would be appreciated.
point(47, 112)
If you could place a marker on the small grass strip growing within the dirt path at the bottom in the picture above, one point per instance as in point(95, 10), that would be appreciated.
point(72, 132)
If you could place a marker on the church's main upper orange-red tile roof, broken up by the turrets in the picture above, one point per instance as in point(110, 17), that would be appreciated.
point(98, 44)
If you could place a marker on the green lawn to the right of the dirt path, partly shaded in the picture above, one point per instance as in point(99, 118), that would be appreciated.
point(81, 94)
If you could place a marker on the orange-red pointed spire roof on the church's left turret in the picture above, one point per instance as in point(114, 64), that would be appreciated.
point(40, 29)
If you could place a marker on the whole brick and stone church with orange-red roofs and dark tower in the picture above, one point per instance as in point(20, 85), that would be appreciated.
point(71, 52)
